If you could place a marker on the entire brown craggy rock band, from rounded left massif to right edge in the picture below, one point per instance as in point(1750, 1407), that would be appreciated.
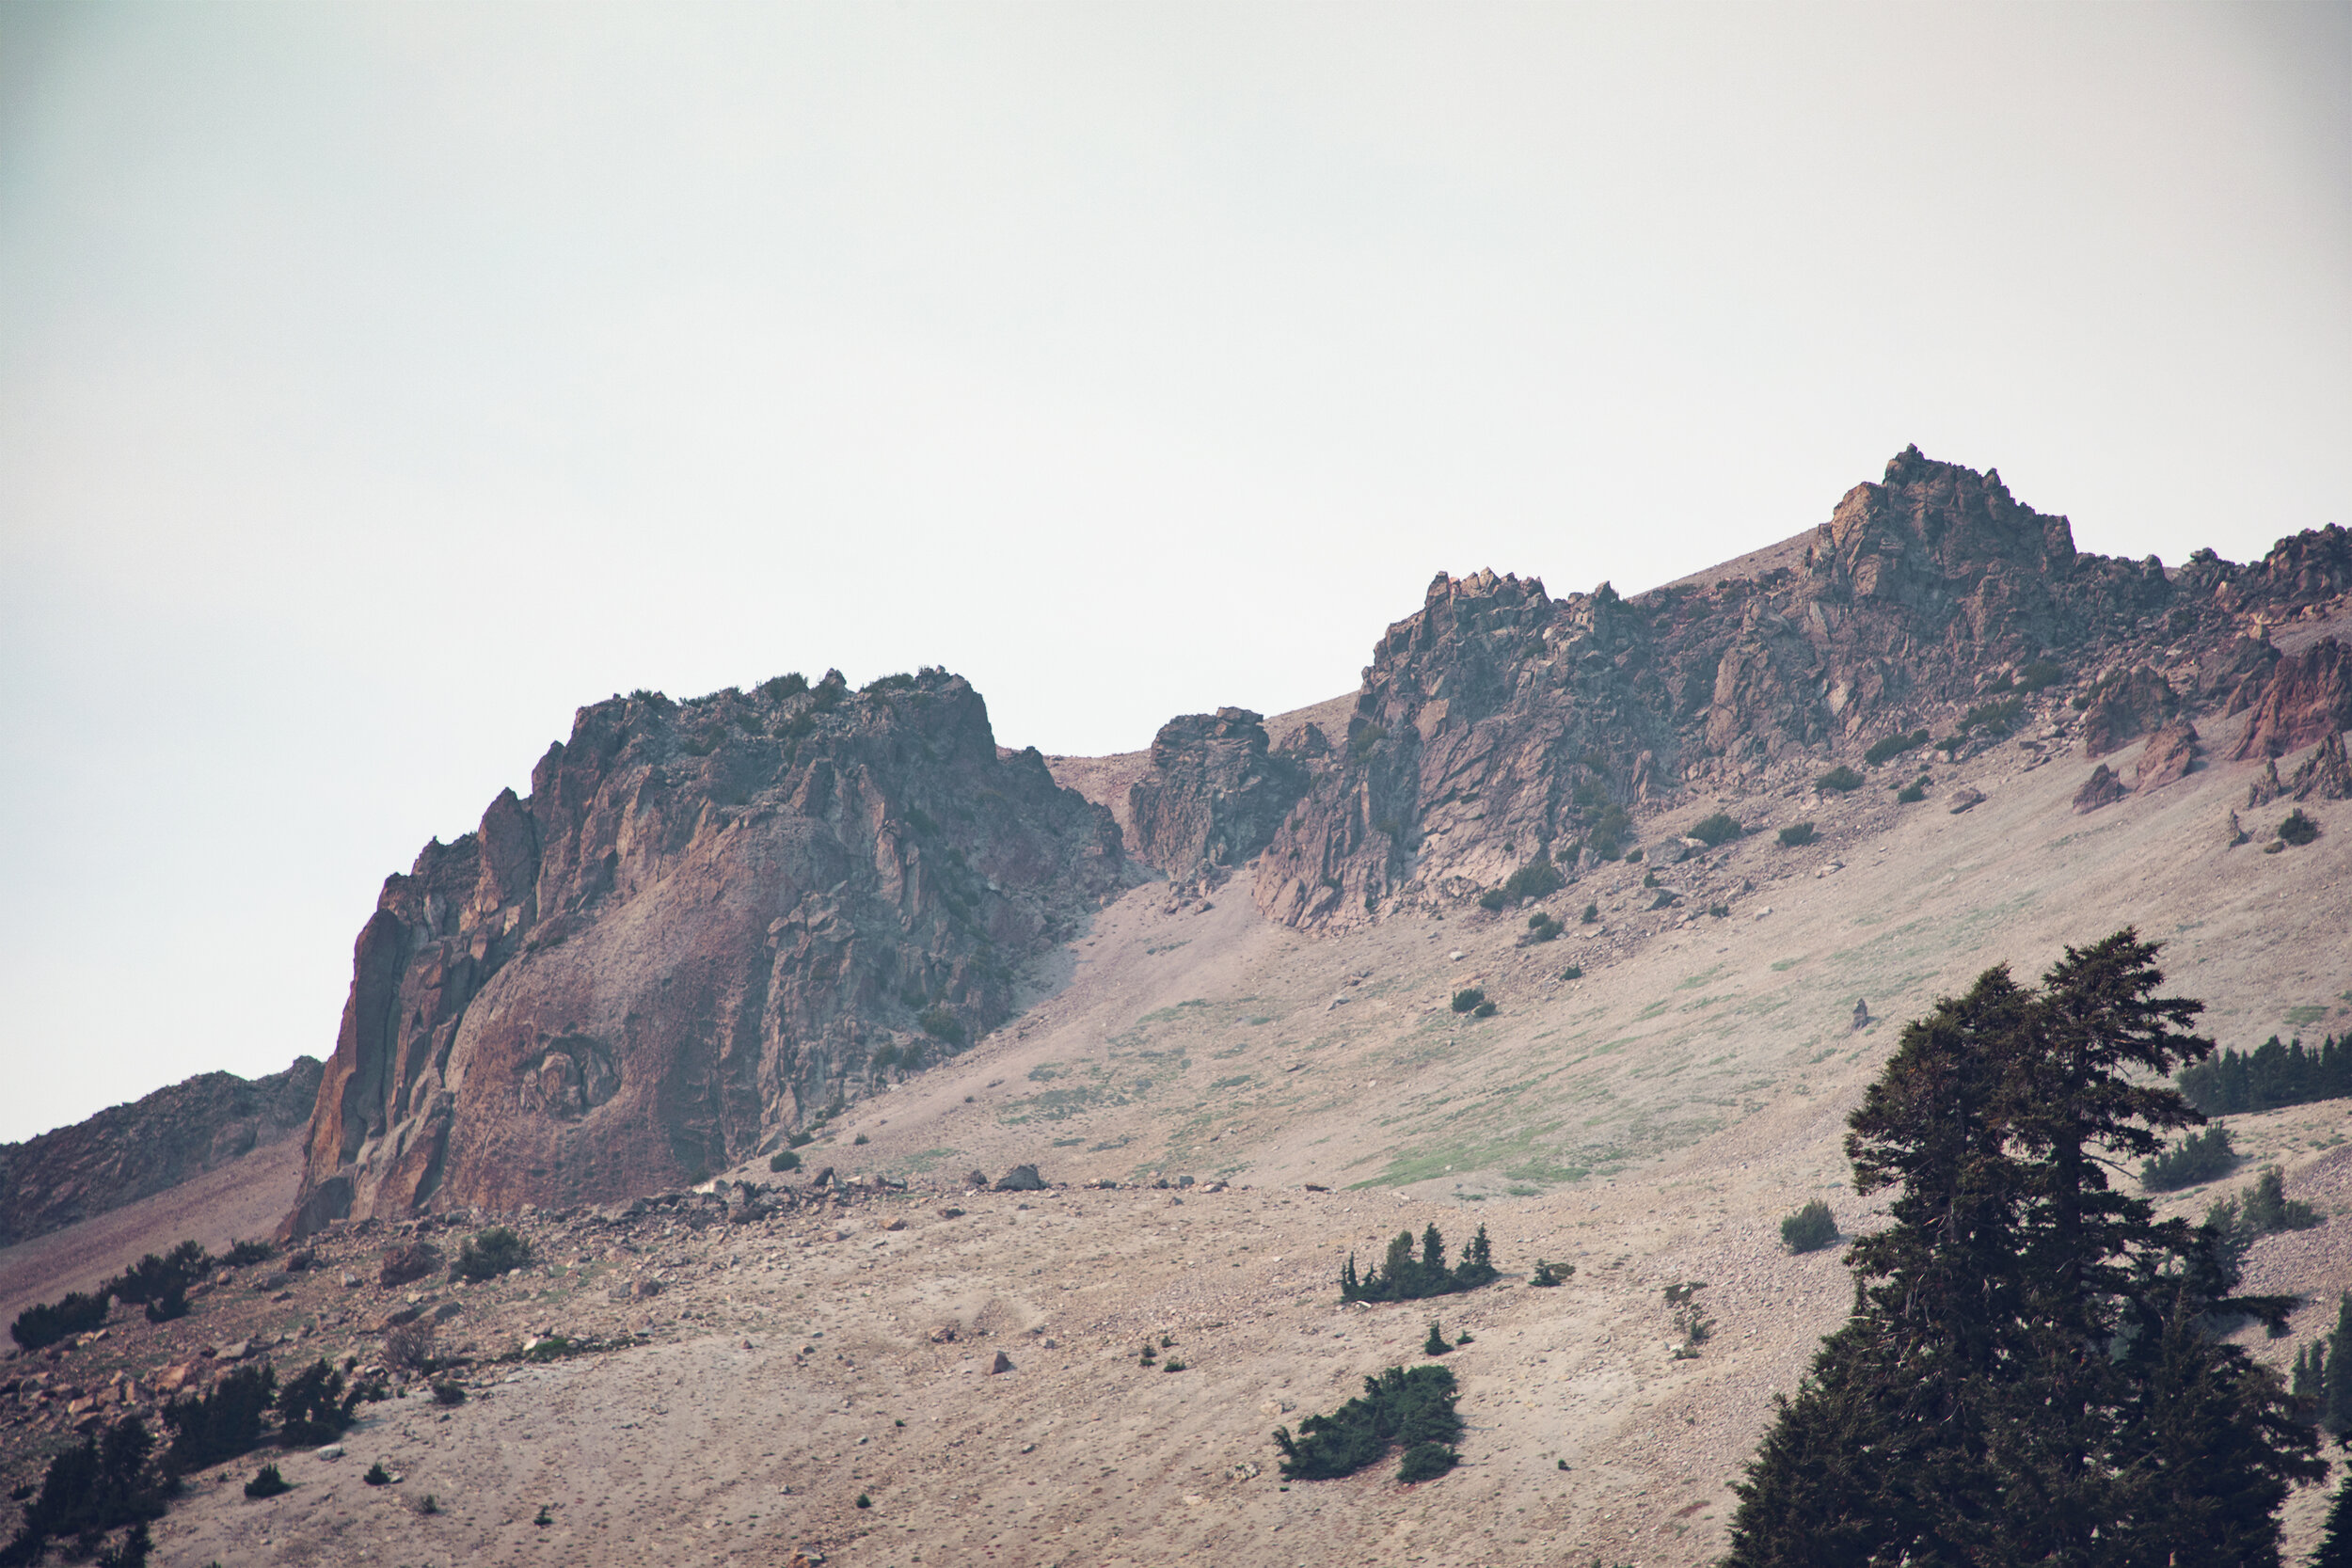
point(711, 923)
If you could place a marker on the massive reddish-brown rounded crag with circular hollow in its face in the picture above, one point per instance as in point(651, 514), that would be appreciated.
point(707, 923)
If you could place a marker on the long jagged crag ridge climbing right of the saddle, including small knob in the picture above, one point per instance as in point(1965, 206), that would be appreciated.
point(1502, 728)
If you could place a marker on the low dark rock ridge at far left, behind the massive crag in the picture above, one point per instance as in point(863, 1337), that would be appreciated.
point(138, 1151)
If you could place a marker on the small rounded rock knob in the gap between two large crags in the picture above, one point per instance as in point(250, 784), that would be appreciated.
point(1215, 796)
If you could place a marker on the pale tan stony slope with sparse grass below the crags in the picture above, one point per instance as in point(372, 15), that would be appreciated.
point(1648, 1123)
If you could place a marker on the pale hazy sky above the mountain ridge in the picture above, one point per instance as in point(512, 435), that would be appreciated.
point(377, 384)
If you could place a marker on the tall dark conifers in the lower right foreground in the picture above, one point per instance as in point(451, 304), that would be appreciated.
point(2031, 1372)
